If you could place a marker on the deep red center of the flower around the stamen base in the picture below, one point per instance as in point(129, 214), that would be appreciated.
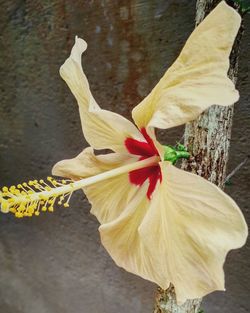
point(144, 149)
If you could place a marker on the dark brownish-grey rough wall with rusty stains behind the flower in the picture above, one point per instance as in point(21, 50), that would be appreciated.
point(55, 263)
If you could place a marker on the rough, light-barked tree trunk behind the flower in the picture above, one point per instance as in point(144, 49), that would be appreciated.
point(208, 140)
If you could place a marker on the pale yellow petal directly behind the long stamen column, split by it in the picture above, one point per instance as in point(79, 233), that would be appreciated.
point(109, 197)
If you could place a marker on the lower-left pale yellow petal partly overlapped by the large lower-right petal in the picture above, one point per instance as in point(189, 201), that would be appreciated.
point(121, 239)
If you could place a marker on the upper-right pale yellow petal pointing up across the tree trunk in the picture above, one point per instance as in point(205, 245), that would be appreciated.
point(198, 78)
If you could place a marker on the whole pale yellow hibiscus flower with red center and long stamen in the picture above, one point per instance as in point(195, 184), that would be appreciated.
point(157, 221)
